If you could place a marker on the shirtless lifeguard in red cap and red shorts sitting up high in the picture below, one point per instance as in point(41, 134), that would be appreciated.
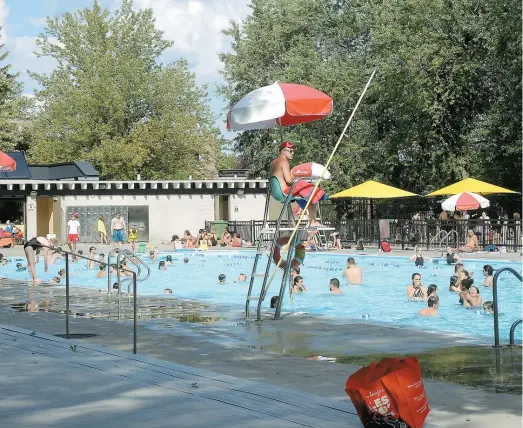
point(281, 169)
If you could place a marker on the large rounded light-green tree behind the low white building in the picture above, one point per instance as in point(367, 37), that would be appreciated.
point(109, 101)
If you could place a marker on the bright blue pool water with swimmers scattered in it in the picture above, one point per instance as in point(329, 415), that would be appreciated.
point(380, 300)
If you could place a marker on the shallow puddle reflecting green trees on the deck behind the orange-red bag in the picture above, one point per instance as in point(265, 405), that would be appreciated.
point(466, 365)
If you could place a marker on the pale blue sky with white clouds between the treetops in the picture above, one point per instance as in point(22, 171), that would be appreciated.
point(194, 25)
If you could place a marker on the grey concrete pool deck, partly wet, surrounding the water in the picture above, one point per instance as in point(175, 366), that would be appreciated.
point(233, 373)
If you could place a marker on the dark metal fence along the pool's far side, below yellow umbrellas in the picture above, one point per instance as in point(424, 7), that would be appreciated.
point(427, 233)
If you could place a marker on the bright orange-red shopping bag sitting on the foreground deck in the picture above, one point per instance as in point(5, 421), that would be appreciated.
point(392, 388)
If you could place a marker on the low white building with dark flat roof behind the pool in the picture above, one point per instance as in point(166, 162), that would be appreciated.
point(47, 195)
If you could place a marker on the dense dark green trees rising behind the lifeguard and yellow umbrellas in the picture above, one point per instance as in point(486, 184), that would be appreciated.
point(446, 103)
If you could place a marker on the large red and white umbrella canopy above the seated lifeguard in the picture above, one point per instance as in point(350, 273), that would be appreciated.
point(283, 104)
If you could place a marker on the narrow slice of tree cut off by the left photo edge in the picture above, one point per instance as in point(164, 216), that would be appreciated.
point(13, 107)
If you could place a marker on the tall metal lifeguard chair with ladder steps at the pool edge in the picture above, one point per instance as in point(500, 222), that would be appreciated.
point(267, 241)
